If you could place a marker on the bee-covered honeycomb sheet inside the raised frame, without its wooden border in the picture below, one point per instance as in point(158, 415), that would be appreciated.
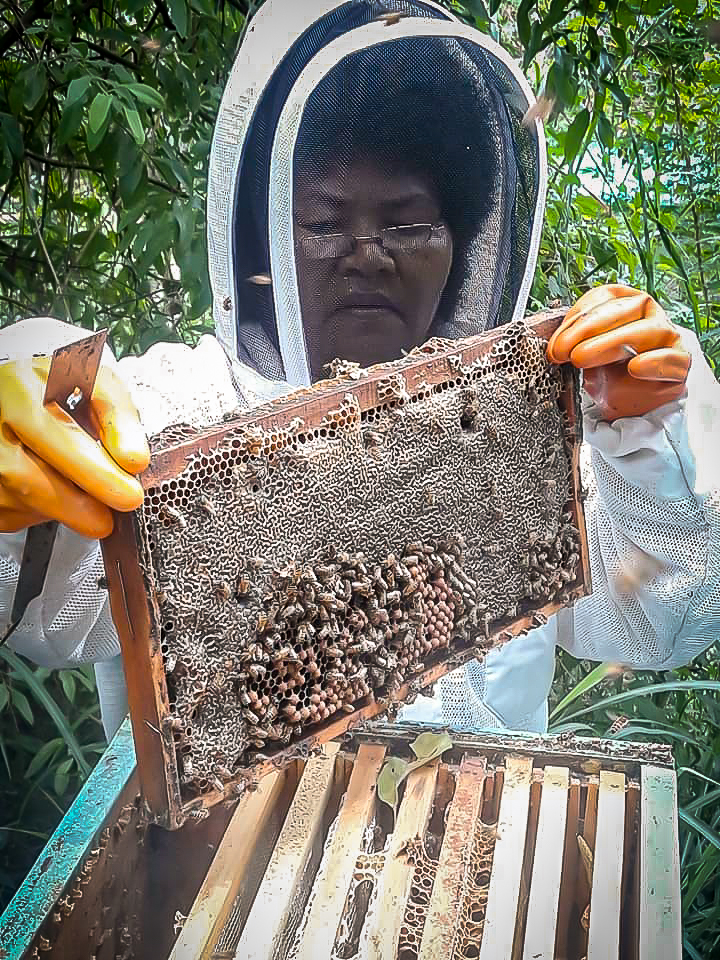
point(446, 512)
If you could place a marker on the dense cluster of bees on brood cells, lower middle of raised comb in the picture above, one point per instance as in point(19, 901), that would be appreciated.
point(333, 632)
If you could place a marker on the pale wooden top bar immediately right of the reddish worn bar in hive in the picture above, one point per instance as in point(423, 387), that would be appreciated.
point(504, 892)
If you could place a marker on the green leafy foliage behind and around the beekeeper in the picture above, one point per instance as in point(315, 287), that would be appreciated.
point(106, 115)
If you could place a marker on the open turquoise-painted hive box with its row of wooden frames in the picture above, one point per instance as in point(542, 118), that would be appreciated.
point(510, 847)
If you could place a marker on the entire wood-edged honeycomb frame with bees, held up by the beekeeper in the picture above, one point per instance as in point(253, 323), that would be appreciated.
point(322, 558)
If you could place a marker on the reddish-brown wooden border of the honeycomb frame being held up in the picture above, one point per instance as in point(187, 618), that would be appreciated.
point(135, 605)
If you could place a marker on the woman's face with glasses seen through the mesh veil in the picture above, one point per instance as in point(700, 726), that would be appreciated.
point(368, 304)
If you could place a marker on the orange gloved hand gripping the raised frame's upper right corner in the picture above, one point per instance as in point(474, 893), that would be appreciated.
point(632, 358)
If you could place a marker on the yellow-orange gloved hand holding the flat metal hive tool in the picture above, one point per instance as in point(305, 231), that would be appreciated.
point(52, 469)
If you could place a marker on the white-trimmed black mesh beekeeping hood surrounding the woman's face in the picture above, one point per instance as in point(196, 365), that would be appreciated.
point(316, 79)
